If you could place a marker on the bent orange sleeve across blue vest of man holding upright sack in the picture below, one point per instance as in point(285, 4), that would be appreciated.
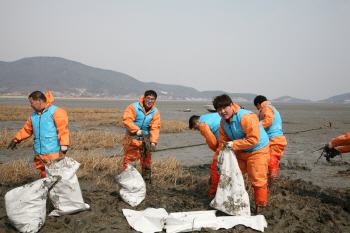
point(251, 128)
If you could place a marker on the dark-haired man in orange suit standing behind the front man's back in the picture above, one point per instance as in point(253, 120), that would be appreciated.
point(271, 121)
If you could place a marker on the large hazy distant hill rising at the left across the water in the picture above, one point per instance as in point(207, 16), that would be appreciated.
point(65, 77)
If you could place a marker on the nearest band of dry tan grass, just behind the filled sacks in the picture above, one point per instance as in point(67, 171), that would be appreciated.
point(102, 170)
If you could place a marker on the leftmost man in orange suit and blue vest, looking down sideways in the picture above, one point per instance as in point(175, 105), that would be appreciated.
point(49, 124)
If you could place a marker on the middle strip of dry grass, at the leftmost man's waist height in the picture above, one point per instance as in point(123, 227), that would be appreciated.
point(78, 140)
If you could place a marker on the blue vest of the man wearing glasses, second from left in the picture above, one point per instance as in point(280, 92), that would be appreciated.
point(142, 120)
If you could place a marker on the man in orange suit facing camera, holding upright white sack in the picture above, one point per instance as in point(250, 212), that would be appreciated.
point(241, 131)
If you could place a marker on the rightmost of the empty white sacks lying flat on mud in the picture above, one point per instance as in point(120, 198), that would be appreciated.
point(257, 222)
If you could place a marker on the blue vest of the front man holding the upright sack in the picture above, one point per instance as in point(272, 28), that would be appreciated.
point(234, 131)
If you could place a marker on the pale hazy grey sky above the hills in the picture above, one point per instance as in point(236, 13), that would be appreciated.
point(299, 48)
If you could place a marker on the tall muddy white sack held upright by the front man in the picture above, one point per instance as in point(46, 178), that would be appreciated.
point(231, 196)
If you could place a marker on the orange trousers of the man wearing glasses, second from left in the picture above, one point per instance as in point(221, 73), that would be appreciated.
point(132, 152)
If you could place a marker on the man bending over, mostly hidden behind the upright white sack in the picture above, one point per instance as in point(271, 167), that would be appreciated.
point(208, 125)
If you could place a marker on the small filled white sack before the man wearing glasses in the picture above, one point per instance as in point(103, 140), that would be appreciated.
point(133, 187)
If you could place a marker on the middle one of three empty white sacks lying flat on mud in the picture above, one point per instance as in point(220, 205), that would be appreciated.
point(191, 221)
